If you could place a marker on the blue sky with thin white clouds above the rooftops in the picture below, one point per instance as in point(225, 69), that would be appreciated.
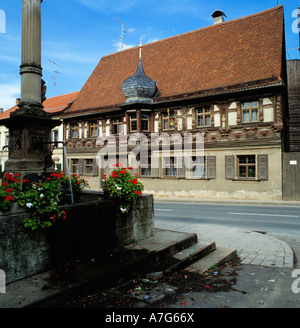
point(77, 33)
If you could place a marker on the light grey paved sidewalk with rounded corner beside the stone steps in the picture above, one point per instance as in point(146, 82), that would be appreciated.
point(252, 247)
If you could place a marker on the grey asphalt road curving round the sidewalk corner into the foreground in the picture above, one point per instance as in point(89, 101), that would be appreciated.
point(256, 286)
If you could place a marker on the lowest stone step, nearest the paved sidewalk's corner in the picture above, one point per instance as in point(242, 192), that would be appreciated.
point(220, 256)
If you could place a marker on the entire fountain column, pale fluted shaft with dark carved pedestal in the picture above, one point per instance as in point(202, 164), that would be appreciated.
point(30, 126)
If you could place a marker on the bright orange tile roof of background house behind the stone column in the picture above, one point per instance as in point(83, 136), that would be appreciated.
point(51, 105)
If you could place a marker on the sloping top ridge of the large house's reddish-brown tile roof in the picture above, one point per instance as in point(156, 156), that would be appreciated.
point(273, 9)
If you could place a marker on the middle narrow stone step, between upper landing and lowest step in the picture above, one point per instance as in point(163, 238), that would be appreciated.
point(181, 259)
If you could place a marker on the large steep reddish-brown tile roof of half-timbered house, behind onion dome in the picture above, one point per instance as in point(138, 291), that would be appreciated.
point(226, 55)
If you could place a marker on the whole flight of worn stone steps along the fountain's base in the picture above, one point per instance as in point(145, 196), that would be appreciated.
point(166, 252)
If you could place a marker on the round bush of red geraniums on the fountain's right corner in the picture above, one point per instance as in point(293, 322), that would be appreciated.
point(121, 185)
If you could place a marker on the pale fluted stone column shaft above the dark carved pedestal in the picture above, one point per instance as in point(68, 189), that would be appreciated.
point(31, 70)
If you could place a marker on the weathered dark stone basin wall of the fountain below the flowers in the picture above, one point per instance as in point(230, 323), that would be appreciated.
point(92, 226)
